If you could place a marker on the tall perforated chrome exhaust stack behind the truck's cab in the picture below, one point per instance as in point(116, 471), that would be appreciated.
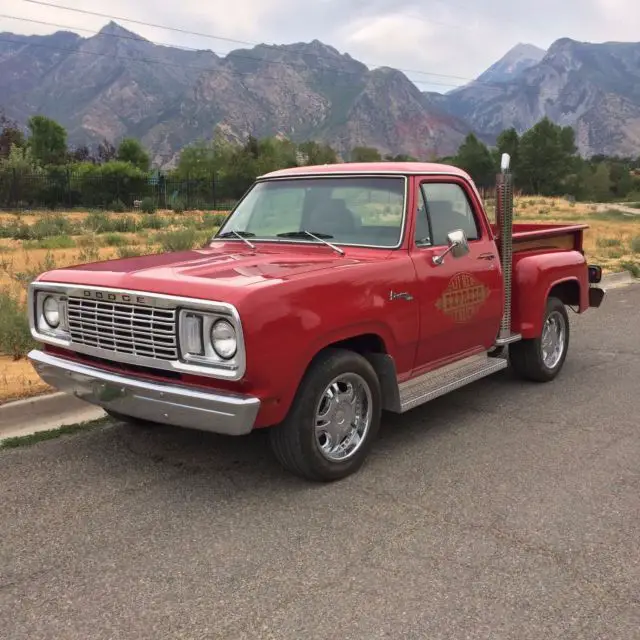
point(504, 220)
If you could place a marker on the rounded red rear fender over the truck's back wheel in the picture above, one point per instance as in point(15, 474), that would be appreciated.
point(536, 277)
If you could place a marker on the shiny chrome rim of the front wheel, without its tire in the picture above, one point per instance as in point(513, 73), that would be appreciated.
point(343, 417)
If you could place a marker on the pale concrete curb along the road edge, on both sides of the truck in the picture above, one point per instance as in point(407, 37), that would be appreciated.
point(55, 410)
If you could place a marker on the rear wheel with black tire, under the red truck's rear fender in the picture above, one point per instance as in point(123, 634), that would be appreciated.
point(541, 359)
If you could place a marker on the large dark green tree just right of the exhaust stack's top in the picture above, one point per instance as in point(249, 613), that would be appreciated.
point(547, 158)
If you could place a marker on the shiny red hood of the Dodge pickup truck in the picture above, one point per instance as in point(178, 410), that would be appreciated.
point(223, 271)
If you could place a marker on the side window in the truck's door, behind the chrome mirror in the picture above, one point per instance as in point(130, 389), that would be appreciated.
point(449, 209)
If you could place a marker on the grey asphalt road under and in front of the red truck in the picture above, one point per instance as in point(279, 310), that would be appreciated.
point(505, 510)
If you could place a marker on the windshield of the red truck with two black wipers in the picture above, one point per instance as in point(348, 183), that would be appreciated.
point(354, 210)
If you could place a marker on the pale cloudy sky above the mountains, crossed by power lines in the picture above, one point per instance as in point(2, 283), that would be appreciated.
point(440, 44)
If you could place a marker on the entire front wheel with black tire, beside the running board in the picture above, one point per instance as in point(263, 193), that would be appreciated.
point(333, 420)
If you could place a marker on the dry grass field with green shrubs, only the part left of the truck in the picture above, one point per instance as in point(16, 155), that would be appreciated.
point(36, 242)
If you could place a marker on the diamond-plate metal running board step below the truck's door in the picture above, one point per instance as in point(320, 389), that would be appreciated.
point(445, 379)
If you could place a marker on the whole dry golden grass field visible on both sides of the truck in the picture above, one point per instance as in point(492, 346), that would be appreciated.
point(35, 242)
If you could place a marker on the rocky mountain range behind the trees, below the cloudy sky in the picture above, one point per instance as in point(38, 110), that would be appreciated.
point(117, 84)
